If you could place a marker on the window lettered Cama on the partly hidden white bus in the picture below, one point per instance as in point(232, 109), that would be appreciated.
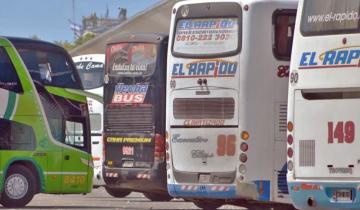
point(91, 74)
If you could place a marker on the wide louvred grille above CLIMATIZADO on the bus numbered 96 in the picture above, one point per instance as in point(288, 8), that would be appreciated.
point(204, 108)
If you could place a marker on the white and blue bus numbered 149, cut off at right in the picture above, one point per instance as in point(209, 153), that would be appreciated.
point(324, 98)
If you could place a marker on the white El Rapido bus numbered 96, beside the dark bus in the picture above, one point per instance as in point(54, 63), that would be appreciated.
point(227, 80)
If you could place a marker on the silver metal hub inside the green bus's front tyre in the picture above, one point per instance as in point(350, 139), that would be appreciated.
point(16, 186)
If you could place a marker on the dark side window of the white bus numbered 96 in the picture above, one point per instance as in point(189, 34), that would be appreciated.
point(283, 23)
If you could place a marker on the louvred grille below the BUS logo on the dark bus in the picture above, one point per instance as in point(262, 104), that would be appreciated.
point(129, 119)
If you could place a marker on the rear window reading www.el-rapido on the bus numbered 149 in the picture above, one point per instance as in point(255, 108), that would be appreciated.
point(326, 17)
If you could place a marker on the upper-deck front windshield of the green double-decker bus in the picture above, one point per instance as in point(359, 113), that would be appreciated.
point(48, 65)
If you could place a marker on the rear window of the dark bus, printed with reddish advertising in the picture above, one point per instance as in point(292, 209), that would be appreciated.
point(132, 59)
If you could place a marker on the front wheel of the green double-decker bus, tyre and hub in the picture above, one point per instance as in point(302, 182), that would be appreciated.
point(19, 187)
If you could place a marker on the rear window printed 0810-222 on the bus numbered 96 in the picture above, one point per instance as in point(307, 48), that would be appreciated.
point(206, 36)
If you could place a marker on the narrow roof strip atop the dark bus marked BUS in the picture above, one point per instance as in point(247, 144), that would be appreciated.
point(151, 37)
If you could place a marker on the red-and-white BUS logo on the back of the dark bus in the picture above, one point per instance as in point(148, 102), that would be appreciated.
point(129, 94)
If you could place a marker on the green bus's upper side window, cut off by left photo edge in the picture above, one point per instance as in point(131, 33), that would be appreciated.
point(8, 77)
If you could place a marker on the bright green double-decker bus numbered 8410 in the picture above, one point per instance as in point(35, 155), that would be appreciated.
point(44, 123)
